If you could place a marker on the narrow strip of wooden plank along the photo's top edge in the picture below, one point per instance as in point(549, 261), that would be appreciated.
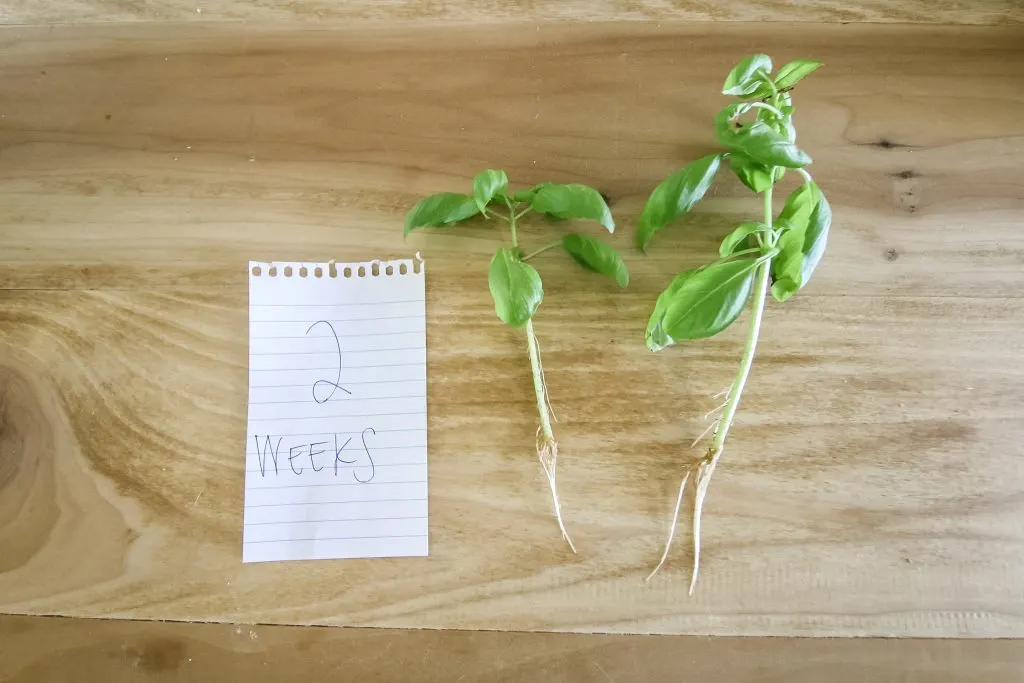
point(426, 14)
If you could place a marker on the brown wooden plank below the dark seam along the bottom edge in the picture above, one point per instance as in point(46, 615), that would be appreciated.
point(53, 651)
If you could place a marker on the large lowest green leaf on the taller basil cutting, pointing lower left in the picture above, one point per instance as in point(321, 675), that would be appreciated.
point(709, 301)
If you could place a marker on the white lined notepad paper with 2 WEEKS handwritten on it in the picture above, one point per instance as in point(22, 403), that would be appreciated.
point(336, 451)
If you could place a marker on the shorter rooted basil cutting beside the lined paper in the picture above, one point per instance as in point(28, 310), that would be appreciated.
point(516, 285)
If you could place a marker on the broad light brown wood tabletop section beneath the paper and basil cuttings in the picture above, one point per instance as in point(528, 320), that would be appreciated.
point(875, 481)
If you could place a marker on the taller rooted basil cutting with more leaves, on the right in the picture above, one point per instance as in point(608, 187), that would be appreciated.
point(777, 253)
